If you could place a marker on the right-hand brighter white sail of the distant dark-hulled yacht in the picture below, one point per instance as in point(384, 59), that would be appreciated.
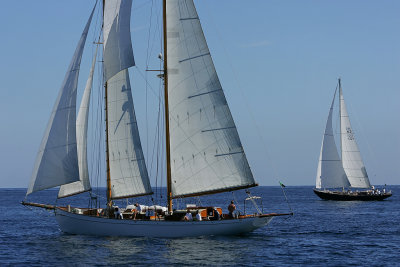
point(351, 157)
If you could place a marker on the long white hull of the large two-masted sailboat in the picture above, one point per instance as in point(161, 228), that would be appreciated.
point(91, 225)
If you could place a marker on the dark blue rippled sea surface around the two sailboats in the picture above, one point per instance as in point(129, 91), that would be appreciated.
point(321, 233)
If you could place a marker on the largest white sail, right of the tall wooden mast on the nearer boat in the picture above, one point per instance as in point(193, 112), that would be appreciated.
point(206, 153)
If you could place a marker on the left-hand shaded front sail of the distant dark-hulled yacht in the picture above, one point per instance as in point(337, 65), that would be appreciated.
point(330, 173)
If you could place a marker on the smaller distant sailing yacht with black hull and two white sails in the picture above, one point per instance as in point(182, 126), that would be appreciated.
point(347, 171)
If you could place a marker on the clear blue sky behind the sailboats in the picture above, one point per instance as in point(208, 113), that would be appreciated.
point(278, 62)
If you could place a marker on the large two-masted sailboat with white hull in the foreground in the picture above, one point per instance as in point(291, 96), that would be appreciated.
point(204, 154)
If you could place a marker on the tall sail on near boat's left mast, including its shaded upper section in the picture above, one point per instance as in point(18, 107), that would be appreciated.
point(128, 172)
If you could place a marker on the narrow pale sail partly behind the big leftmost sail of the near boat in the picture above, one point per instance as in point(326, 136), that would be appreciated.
point(83, 184)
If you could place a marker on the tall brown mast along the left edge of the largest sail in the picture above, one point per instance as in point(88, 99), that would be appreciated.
point(169, 193)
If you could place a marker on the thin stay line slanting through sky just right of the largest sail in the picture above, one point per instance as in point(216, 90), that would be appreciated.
point(240, 87)
